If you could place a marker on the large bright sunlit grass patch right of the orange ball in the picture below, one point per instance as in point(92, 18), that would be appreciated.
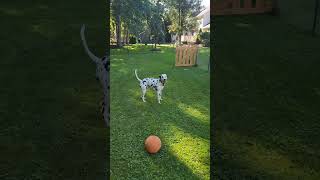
point(193, 151)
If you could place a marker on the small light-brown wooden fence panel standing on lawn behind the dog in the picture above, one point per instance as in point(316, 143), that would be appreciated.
point(186, 55)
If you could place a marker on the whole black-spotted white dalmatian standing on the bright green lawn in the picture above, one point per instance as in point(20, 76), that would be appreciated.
point(156, 83)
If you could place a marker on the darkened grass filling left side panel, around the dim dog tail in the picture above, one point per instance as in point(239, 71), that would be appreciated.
point(51, 126)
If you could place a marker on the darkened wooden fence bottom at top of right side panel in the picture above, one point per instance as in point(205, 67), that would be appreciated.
point(229, 7)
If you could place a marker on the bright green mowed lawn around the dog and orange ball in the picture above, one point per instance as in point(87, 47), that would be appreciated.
point(181, 121)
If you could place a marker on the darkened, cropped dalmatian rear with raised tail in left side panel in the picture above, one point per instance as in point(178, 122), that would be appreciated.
point(102, 75)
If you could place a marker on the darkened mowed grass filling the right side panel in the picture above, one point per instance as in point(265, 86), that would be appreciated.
point(266, 99)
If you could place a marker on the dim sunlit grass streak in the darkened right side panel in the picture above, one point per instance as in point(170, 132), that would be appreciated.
point(261, 159)
